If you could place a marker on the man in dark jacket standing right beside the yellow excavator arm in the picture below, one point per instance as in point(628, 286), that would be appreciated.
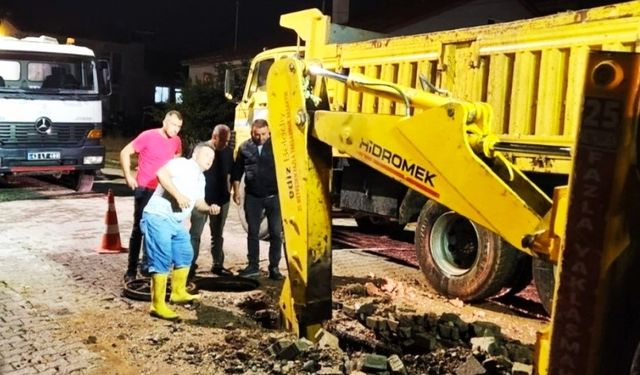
point(255, 160)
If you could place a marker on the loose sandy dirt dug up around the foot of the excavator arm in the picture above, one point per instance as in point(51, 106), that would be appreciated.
point(226, 333)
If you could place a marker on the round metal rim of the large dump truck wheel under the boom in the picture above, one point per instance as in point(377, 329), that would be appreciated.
point(454, 244)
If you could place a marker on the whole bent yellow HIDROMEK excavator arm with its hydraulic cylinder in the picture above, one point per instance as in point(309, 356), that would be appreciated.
point(445, 152)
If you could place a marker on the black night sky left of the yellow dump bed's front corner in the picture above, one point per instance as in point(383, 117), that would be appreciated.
point(186, 27)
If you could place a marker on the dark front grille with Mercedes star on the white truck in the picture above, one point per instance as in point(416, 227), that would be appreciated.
point(26, 133)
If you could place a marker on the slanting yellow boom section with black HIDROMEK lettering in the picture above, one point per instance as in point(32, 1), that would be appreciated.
point(426, 152)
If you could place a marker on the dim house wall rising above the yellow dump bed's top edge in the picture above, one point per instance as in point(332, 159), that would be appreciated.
point(473, 13)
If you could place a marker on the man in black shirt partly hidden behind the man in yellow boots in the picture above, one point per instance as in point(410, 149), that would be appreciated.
point(217, 190)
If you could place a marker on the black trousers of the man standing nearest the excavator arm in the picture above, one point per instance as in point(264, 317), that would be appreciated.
point(253, 207)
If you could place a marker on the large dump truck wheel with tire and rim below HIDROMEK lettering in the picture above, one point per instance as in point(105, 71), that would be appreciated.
point(459, 258)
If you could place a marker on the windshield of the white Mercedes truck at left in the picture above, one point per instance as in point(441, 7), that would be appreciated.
point(33, 73)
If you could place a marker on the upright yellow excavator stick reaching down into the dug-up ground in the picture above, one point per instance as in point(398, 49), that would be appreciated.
point(302, 169)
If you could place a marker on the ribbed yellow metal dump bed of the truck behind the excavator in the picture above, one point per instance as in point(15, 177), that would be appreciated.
point(531, 72)
